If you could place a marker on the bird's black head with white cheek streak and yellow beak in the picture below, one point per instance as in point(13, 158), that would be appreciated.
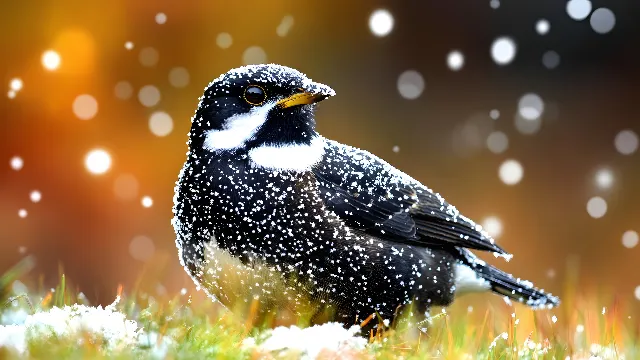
point(256, 105)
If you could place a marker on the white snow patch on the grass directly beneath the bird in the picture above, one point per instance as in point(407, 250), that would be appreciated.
point(309, 342)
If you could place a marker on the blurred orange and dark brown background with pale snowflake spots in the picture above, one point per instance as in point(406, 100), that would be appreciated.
point(523, 114)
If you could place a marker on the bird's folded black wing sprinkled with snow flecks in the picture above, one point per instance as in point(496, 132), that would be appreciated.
point(372, 196)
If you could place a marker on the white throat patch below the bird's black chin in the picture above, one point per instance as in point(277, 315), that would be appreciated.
point(292, 157)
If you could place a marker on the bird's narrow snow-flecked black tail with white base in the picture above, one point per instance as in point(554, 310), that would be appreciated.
point(491, 278)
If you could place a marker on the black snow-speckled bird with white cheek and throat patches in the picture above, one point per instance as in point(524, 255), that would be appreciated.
point(272, 218)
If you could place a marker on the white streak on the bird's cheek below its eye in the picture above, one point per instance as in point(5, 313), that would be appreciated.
point(238, 129)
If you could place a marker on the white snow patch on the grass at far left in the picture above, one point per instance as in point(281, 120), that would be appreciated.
point(106, 327)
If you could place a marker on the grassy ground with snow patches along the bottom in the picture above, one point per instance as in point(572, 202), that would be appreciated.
point(60, 324)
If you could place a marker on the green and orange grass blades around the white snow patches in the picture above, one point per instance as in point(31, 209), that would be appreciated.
point(205, 330)
